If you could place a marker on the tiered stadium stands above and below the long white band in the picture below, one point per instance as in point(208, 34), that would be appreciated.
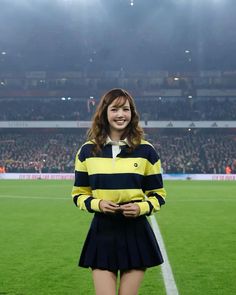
point(160, 96)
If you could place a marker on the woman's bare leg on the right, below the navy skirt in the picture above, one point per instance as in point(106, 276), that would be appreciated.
point(130, 281)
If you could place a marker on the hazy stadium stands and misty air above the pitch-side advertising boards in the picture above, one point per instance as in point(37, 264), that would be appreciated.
point(176, 57)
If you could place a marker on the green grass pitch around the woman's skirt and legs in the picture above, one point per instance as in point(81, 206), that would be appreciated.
point(42, 232)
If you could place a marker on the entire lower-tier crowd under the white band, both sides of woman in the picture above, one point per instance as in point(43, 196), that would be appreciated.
point(43, 152)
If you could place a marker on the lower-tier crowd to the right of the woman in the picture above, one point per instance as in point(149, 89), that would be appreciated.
point(197, 153)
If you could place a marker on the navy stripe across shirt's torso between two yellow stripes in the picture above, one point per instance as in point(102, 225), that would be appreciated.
point(116, 181)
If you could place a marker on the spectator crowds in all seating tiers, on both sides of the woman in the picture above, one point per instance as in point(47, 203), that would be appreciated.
point(54, 152)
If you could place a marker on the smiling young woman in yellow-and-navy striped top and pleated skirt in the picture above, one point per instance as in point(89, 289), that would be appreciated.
point(118, 178)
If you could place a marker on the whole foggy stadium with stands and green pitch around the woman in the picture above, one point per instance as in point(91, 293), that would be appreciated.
point(177, 59)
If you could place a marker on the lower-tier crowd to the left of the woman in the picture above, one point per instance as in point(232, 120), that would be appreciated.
point(36, 153)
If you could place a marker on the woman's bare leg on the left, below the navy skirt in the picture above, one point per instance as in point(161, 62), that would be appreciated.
point(104, 282)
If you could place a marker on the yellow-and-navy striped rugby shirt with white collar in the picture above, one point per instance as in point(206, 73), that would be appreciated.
point(118, 176)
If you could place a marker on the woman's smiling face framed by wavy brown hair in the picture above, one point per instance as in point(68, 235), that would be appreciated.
point(118, 115)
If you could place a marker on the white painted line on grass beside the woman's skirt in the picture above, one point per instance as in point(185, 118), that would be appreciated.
point(169, 281)
